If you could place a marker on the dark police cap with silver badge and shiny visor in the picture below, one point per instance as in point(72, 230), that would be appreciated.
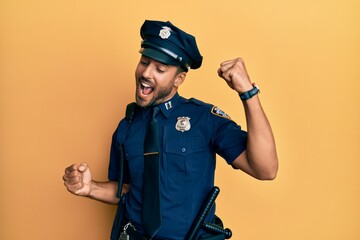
point(170, 45)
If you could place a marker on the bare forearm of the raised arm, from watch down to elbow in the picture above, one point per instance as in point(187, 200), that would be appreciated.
point(261, 150)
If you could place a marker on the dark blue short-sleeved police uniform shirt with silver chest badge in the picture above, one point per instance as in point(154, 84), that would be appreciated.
point(191, 134)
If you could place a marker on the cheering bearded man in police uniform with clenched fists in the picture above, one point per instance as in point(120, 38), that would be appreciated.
point(188, 135)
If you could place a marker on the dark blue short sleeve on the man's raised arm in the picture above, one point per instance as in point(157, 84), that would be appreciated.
point(228, 139)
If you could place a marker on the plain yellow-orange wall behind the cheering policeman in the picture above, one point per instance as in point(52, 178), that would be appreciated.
point(67, 73)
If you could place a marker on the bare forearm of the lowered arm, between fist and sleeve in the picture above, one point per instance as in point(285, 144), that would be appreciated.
point(104, 191)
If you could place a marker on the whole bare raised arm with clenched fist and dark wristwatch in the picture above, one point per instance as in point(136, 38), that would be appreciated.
point(260, 158)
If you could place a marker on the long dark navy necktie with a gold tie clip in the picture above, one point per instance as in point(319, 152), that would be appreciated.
point(151, 215)
